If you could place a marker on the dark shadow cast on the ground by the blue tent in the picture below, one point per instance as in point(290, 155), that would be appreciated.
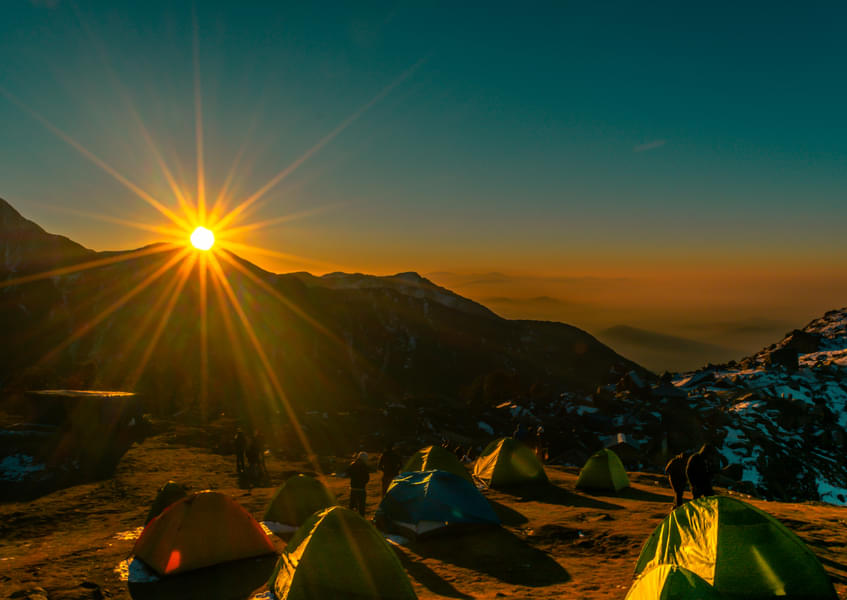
point(497, 553)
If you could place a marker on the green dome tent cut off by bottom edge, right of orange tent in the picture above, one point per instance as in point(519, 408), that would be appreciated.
point(337, 554)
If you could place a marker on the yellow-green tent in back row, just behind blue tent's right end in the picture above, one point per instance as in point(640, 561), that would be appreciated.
point(507, 462)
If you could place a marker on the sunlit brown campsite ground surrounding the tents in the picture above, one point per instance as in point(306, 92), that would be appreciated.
point(554, 544)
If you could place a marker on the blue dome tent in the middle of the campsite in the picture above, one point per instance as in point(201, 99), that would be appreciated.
point(423, 502)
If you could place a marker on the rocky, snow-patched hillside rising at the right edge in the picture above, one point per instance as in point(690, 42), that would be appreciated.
point(778, 417)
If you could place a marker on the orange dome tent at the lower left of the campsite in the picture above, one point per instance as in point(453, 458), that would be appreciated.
point(199, 531)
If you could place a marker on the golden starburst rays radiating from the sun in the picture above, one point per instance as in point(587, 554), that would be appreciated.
point(230, 218)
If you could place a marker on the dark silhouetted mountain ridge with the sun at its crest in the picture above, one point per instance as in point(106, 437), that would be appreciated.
point(329, 343)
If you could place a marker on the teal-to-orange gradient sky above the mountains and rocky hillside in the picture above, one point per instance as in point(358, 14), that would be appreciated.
point(674, 168)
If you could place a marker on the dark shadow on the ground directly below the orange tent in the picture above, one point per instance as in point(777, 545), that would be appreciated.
point(231, 581)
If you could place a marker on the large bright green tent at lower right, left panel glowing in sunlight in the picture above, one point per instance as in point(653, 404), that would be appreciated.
point(740, 550)
